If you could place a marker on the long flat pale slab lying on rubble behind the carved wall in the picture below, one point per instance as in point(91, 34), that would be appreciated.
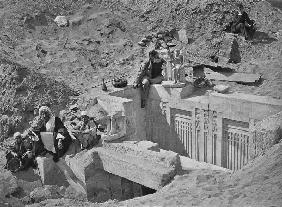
point(232, 77)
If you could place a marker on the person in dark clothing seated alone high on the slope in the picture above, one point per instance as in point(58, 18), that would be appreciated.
point(242, 24)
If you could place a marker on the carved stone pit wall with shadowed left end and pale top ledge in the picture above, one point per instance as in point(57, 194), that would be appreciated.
point(212, 128)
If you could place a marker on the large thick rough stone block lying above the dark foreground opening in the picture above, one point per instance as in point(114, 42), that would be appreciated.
point(149, 168)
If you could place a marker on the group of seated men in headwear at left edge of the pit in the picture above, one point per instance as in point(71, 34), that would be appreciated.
point(48, 134)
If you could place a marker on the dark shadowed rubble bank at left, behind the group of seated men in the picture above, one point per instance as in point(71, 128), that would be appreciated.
point(21, 91)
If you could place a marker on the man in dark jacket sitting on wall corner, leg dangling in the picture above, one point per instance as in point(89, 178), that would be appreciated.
point(150, 73)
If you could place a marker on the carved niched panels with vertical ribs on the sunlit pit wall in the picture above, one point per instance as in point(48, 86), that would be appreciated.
point(201, 138)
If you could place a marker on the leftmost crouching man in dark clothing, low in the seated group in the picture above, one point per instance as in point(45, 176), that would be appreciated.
point(21, 149)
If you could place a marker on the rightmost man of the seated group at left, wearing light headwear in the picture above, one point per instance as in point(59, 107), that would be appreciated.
point(85, 131)
